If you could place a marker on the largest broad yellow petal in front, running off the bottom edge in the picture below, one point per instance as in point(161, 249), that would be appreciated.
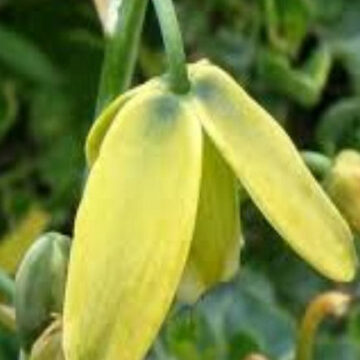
point(133, 230)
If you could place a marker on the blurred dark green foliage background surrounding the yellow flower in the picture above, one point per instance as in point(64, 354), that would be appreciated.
point(299, 58)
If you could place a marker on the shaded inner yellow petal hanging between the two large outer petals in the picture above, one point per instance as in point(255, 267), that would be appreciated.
point(215, 250)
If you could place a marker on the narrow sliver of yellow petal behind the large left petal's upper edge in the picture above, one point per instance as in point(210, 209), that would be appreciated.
point(103, 122)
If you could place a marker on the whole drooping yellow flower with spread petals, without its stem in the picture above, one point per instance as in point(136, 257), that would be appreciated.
point(160, 213)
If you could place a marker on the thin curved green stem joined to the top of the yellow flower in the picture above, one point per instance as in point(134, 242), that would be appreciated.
point(174, 46)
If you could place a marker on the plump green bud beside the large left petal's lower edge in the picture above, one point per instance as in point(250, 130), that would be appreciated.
point(40, 285)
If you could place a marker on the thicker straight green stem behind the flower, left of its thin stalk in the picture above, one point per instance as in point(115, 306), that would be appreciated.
point(121, 51)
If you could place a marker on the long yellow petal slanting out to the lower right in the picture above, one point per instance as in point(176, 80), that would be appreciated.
point(270, 168)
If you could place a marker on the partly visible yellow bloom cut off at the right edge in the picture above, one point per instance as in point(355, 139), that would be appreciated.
point(343, 186)
